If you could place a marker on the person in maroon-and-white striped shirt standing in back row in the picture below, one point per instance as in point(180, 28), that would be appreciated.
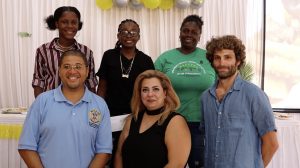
point(67, 20)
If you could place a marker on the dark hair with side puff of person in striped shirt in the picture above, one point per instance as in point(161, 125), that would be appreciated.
point(50, 20)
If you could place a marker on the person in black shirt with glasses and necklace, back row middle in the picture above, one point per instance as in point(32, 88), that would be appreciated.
point(118, 70)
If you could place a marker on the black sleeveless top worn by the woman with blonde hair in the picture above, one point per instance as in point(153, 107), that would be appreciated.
point(146, 149)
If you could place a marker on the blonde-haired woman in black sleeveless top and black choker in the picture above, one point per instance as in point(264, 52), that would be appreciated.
point(154, 136)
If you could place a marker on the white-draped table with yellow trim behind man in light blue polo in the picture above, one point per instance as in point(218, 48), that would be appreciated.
point(10, 130)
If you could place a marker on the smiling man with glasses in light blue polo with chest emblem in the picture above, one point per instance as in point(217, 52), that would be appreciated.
point(69, 126)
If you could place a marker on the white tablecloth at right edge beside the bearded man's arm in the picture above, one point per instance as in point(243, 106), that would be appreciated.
point(288, 154)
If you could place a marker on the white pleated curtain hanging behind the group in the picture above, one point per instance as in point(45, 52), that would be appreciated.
point(159, 32)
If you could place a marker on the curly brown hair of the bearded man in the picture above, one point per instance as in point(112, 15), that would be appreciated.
point(230, 42)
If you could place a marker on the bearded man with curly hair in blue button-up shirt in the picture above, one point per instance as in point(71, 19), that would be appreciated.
point(238, 120)
